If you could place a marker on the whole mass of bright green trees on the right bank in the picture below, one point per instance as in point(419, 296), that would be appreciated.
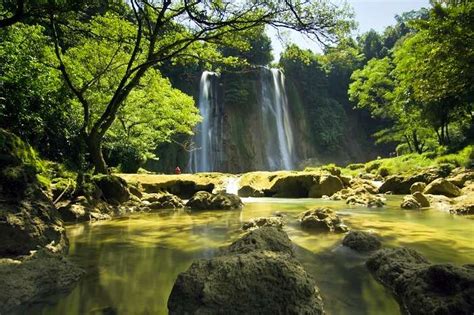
point(425, 89)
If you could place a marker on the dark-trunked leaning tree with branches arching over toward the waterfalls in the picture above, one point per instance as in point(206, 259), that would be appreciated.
point(170, 30)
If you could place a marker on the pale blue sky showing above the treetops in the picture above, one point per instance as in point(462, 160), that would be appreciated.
point(369, 14)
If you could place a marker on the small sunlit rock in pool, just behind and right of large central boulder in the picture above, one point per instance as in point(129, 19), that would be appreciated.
point(322, 220)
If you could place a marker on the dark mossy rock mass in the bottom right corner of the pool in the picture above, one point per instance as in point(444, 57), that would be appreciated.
point(424, 288)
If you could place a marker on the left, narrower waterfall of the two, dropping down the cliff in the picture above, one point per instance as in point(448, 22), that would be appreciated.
point(202, 158)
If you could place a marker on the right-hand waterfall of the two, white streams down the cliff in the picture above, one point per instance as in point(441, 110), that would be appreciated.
point(276, 121)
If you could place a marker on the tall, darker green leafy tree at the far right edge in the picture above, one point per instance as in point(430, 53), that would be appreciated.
point(437, 63)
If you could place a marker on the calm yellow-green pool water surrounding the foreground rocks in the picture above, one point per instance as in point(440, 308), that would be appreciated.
point(132, 262)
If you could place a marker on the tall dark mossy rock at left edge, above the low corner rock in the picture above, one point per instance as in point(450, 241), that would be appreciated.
point(28, 218)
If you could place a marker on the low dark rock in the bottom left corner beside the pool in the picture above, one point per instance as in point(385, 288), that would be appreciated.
point(31, 279)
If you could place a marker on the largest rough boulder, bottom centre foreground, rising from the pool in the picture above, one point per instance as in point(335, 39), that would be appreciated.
point(257, 274)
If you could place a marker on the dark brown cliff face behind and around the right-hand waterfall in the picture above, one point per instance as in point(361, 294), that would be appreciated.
point(243, 132)
